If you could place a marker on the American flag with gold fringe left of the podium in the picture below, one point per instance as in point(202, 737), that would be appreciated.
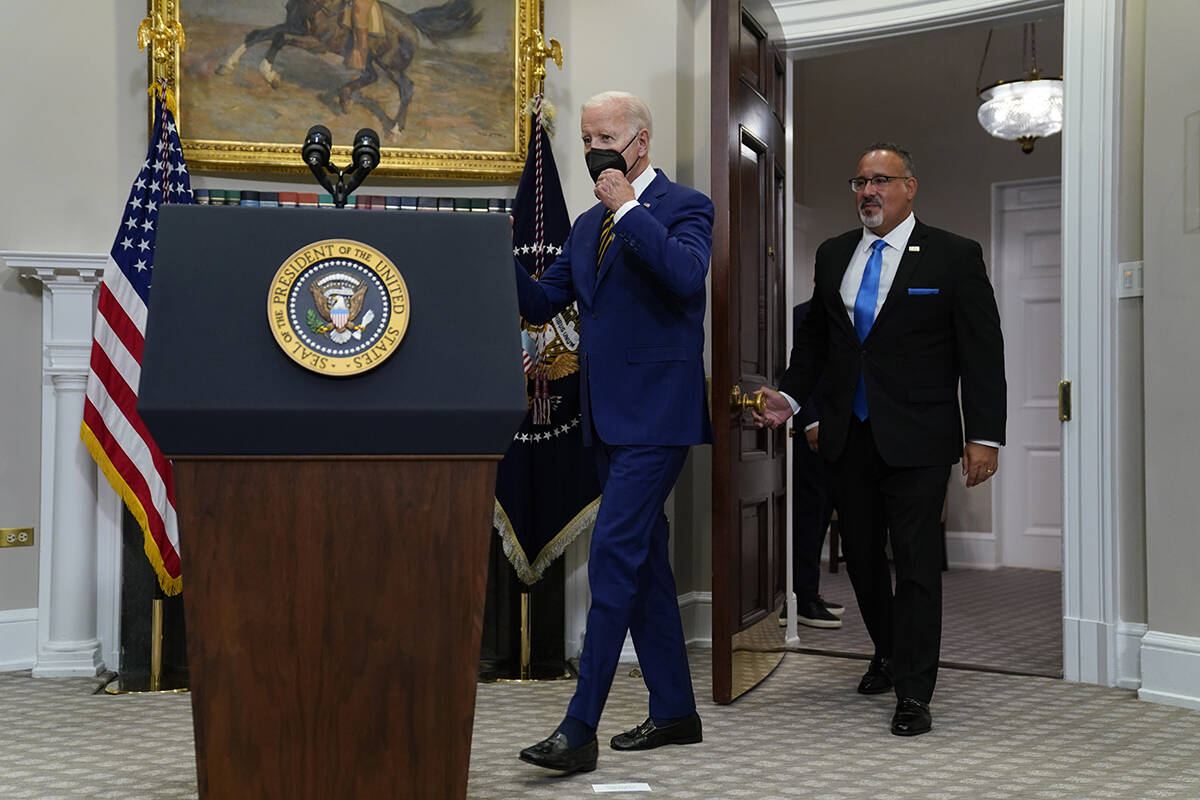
point(112, 429)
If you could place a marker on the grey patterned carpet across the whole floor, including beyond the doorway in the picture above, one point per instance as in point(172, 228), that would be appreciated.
point(803, 733)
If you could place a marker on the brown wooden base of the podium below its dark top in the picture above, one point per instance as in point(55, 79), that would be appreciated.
point(334, 617)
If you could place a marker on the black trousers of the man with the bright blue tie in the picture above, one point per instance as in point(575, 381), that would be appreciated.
point(877, 502)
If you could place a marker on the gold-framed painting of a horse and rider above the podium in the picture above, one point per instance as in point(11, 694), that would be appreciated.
point(443, 82)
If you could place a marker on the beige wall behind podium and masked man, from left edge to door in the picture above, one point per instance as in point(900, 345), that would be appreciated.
point(82, 135)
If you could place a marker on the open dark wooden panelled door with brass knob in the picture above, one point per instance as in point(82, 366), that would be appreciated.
point(749, 347)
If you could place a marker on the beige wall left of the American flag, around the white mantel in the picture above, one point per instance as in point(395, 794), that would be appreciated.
point(73, 151)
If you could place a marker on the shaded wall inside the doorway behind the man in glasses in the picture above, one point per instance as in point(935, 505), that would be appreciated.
point(919, 92)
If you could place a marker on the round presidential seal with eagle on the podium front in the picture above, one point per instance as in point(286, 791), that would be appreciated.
point(338, 308)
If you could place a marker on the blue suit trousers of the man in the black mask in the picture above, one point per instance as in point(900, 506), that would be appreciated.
point(633, 587)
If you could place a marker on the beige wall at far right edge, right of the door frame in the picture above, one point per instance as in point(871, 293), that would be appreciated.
point(1172, 323)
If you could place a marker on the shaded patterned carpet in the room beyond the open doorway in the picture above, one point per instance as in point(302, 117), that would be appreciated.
point(1007, 621)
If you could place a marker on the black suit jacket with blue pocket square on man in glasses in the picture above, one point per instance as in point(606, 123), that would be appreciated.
point(938, 330)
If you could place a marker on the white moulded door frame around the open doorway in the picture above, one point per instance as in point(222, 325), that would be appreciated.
point(1093, 43)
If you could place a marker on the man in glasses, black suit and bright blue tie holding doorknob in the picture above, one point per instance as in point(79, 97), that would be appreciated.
point(903, 318)
